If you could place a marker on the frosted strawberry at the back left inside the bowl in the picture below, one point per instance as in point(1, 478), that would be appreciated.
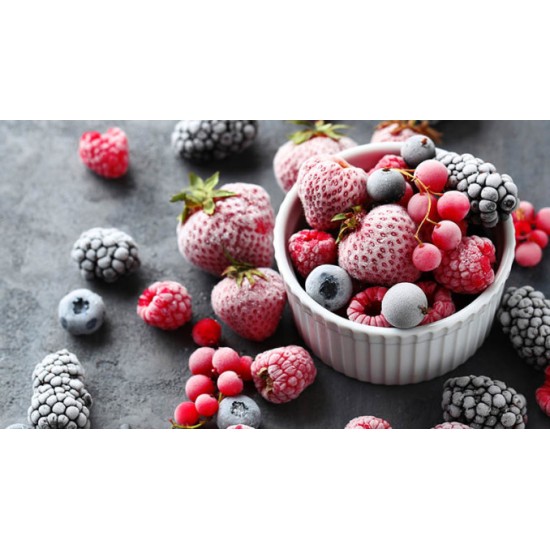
point(328, 186)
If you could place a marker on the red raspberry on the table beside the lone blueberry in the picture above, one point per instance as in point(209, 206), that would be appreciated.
point(166, 305)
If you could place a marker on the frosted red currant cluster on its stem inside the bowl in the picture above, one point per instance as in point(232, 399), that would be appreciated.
point(440, 216)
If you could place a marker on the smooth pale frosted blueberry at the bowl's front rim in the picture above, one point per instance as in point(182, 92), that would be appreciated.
point(405, 305)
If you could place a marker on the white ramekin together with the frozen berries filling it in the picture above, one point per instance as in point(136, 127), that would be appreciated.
point(395, 257)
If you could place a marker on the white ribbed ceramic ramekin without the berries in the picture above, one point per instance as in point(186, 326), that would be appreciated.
point(387, 355)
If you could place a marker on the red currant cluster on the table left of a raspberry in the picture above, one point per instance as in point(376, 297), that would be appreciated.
point(215, 374)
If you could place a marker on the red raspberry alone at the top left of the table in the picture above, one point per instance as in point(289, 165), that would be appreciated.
point(105, 154)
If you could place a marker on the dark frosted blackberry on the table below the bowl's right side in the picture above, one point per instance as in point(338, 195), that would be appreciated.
point(480, 402)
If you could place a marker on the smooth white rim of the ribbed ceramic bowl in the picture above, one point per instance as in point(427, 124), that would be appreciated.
point(287, 272)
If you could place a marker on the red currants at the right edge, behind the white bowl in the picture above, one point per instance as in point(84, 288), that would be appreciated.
point(532, 231)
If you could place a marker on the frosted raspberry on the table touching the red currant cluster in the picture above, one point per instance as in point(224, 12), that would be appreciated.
point(282, 374)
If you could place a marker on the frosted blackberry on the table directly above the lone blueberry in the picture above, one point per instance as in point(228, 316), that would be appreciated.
point(106, 254)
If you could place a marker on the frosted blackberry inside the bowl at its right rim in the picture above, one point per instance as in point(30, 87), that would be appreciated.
point(493, 196)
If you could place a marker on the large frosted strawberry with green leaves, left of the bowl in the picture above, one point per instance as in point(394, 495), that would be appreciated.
point(236, 218)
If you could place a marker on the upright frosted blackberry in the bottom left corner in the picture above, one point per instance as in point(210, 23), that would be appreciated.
point(60, 400)
